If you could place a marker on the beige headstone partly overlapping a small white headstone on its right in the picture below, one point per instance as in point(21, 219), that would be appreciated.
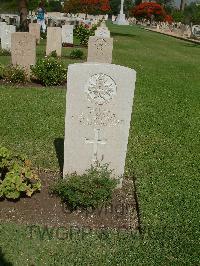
point(54, 40)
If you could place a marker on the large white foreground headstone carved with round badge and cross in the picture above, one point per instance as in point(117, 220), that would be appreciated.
point(98, 114)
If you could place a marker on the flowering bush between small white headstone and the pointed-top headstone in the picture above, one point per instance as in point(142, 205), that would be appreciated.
point(82, 32)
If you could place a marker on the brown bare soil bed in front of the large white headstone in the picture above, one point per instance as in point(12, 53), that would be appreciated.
point(47, 210)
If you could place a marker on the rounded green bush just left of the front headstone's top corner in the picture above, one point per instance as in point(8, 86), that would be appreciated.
point(49, 71)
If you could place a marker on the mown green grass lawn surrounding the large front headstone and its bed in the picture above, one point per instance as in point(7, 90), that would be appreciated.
point(163, 157)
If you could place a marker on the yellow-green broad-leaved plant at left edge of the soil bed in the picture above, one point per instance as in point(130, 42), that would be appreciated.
point(16, 177)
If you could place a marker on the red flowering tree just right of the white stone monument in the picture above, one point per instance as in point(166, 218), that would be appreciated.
point(149, 9)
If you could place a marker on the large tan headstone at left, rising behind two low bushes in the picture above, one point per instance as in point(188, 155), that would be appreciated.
point(23, 50)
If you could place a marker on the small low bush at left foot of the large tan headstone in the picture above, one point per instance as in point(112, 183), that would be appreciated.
point(15, 74)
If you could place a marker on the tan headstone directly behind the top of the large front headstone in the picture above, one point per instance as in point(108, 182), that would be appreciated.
point(100, 50)
